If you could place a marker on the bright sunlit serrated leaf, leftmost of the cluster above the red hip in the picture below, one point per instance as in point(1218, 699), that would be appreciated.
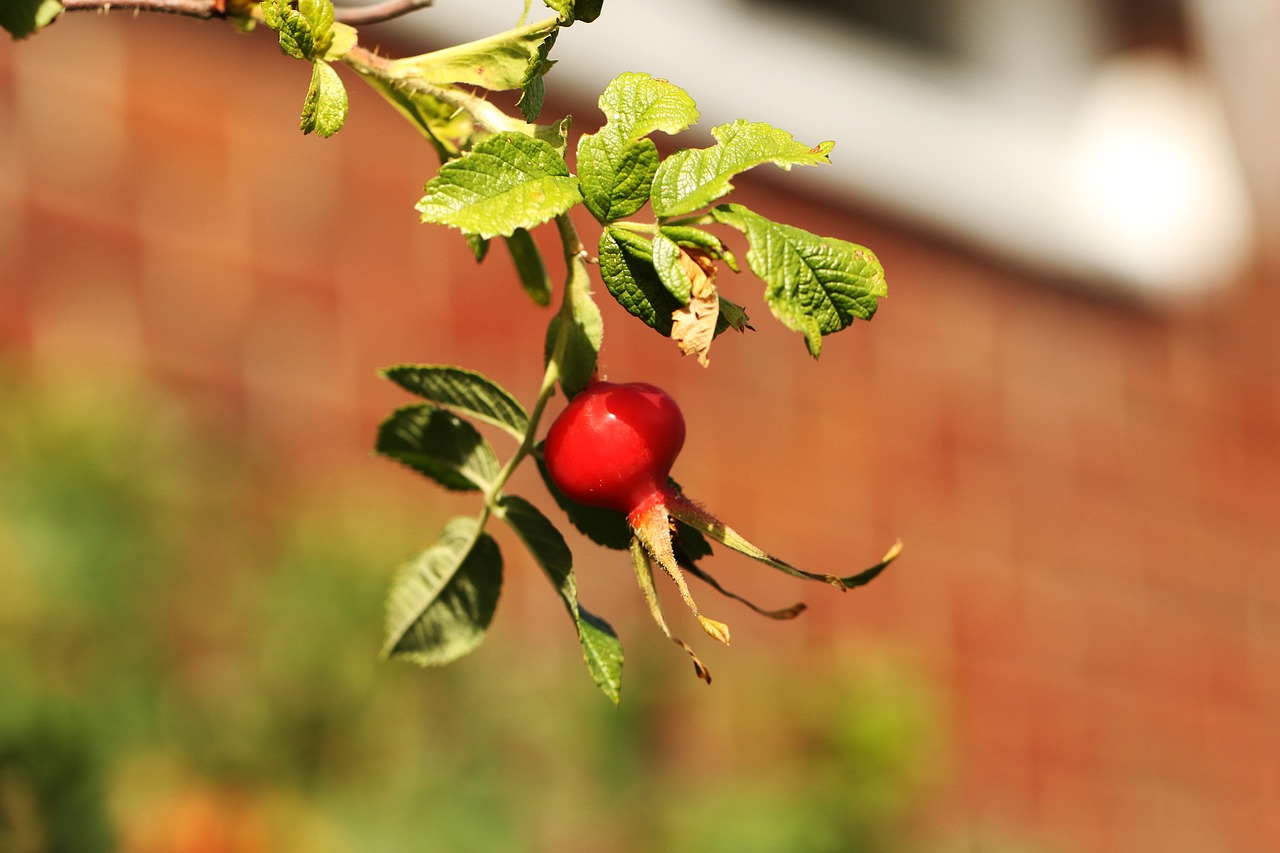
point(509, 181)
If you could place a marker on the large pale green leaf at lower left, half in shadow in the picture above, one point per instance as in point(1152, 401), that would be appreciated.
point(441, 605)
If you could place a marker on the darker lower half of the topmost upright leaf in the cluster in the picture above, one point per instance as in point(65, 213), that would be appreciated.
point(616, 175)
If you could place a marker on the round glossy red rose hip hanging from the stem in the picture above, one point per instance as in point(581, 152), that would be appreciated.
point(614, 446)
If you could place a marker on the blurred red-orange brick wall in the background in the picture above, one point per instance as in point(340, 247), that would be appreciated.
point(1090, 491)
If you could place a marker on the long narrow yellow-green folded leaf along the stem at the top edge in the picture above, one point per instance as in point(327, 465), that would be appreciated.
point(508, 61)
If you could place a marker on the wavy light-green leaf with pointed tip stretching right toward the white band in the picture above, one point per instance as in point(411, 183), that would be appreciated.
point(694, 179)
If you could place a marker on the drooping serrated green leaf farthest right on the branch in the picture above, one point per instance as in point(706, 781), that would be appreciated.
point(813, 285)
